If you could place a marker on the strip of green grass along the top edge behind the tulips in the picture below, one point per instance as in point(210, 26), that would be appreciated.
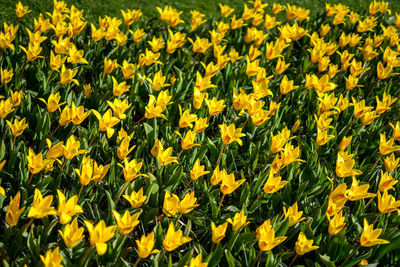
point(95, 8)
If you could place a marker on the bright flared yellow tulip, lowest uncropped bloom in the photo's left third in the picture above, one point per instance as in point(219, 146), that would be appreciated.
point(99, 235)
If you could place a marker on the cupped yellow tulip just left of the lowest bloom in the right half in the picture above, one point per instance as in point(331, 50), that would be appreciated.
point(266, 236)
